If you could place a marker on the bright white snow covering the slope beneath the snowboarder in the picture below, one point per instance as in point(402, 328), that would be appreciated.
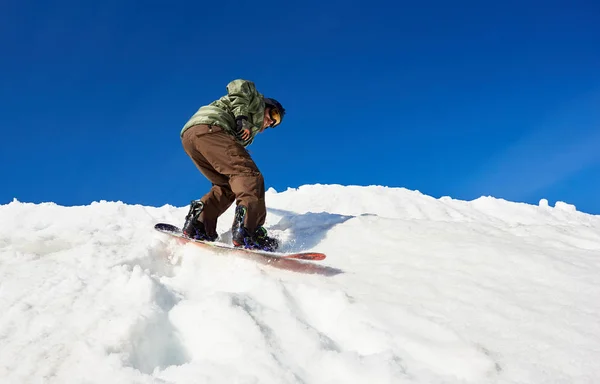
point(414, 290)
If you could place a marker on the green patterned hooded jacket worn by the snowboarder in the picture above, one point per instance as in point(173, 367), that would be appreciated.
point(242, 99)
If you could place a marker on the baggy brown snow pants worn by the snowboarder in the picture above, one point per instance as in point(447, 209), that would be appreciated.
point(232, 172)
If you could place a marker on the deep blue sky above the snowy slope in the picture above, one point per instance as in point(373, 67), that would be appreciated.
point(459, 99)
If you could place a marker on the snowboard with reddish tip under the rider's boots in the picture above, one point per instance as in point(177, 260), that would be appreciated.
point(176, 232)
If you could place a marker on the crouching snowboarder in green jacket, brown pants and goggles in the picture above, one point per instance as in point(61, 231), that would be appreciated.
point(215, 138)
